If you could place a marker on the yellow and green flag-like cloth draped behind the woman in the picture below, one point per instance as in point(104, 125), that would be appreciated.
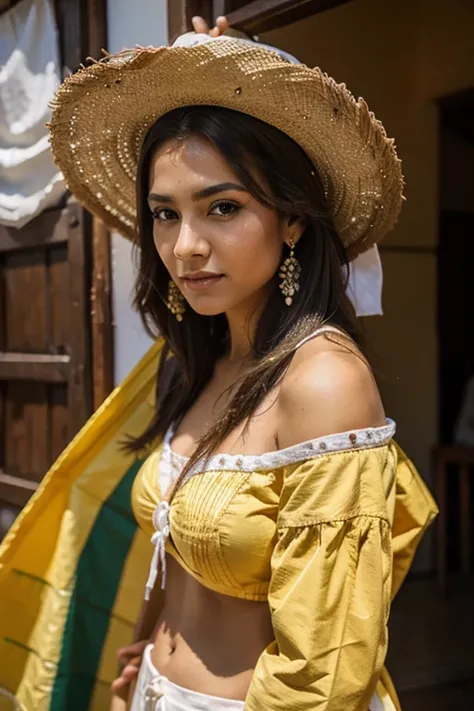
point(74, 564)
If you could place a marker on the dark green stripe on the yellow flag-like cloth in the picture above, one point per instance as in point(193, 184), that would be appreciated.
point(98, 576)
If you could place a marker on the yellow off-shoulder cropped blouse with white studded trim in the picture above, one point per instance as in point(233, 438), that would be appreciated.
point(326, 531)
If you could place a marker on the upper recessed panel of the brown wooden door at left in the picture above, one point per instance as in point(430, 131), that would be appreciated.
point(25, 301)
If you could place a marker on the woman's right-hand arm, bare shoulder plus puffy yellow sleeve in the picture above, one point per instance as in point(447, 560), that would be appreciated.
point(331, 567)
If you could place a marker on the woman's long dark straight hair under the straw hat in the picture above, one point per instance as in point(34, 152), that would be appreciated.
point(251, 148)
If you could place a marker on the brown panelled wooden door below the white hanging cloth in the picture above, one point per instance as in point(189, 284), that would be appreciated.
point(45, 383)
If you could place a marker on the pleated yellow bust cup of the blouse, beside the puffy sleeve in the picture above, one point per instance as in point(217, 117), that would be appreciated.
point(223, 529)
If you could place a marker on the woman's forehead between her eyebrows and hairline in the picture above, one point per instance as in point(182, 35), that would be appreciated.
point(193, 159)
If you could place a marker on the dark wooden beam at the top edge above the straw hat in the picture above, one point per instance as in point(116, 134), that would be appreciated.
point(265, 15)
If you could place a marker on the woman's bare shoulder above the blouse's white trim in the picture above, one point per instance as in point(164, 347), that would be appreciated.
point(328, 388)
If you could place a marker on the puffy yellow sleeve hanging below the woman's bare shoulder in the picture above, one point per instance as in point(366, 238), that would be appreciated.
point(330, 586)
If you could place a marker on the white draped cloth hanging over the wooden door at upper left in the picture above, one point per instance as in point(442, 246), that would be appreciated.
point(29, 77)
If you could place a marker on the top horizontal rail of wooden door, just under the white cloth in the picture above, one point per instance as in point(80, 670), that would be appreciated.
point(50, 227)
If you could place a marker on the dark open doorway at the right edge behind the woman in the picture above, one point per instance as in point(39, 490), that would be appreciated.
point(456, 294)
